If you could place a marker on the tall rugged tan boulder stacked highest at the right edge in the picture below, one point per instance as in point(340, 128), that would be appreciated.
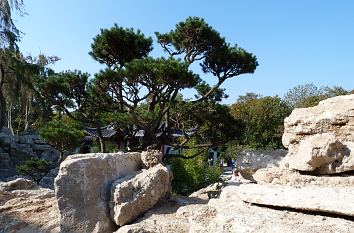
point(320, 139)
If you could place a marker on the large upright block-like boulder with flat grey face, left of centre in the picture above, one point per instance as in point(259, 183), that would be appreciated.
point(82, 189)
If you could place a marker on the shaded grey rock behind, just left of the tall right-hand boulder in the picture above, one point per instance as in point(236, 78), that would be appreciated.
point(249, 161)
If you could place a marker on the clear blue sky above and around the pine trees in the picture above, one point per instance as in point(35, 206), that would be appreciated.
point(296, 42)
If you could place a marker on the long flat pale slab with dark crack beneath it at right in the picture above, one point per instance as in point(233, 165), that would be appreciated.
point(322, 199)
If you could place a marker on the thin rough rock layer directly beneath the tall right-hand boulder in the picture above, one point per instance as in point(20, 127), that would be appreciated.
point(294, 178)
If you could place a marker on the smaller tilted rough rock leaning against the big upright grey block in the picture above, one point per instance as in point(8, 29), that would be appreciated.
point(132, 196)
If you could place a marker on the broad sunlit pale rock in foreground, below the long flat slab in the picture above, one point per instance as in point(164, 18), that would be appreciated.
point(229, 213)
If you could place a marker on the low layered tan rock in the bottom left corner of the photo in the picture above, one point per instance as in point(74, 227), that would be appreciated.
point(25, 207)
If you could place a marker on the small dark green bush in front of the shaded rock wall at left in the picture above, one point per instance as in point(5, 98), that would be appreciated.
point(35, 168)
